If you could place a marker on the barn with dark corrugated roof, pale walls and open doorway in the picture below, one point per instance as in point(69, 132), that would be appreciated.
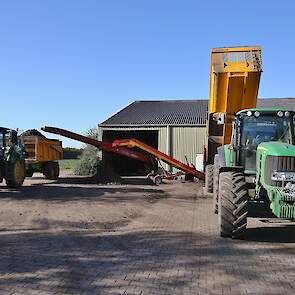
point(175, 127)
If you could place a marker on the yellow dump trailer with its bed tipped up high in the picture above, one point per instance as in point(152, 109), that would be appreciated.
point(234, 81)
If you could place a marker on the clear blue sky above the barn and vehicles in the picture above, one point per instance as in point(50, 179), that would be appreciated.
point(71, 64)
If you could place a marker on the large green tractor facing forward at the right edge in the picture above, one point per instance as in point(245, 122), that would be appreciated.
point(256, 170)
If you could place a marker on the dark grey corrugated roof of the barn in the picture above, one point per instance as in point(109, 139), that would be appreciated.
point(175, 112)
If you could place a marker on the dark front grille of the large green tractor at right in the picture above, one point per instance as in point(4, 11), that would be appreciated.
point(275, 163)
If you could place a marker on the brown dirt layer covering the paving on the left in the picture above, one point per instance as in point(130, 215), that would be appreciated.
point(75, 202)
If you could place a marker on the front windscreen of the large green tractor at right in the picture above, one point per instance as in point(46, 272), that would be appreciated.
point(260, 129)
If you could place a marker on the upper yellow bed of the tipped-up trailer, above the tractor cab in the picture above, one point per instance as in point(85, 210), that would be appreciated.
point(234, 79)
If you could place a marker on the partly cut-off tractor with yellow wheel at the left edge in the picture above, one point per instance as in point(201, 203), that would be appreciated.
point(12, 158)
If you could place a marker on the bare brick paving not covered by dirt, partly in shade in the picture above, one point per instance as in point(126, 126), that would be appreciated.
point(171, 248)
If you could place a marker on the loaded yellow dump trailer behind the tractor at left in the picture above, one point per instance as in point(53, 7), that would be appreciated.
point(42, 155)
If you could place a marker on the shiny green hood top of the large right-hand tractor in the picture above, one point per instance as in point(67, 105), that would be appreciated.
point(276, 148)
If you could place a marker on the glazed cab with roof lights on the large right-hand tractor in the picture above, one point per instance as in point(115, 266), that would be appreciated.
point(255, 126)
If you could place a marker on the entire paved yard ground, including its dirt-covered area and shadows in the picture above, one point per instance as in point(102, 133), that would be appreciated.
point(74, 237)
